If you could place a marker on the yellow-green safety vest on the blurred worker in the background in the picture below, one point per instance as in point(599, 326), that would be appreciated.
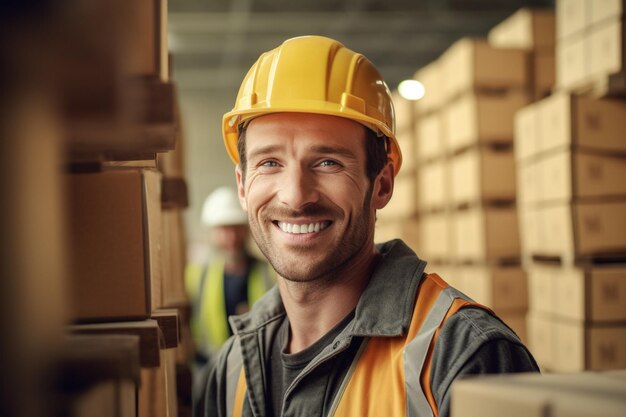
point(213, 307)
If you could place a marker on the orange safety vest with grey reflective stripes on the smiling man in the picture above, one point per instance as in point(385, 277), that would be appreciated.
point(396, 369)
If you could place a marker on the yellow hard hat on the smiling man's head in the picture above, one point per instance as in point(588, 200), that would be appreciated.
point(314, 74)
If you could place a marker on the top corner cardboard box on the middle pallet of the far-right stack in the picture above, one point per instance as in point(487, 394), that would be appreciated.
point(576, 121)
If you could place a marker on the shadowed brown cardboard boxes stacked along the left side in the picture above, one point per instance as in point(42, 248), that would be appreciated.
point(125, 189)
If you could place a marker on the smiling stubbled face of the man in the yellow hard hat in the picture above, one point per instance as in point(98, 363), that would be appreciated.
point(308, 198)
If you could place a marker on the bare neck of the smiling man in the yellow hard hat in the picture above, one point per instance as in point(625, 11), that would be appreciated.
point(314, 309)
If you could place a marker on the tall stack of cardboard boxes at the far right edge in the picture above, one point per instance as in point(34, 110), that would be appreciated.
point(571, 157)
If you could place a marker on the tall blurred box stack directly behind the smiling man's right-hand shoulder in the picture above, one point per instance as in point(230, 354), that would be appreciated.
point(464, 135)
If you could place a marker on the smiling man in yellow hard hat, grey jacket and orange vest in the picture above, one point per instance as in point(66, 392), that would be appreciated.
point(352, 329)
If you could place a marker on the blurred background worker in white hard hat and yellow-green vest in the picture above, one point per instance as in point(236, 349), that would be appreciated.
point(227, 284)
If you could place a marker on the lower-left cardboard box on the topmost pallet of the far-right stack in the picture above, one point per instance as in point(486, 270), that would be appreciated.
point(572, 64)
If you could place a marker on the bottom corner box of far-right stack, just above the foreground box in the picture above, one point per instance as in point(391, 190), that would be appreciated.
point(579, 346)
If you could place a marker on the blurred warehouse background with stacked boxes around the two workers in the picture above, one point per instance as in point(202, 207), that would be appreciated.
point(511, 188)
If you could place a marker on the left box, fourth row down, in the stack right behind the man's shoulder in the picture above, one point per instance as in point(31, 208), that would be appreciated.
point(435, 238)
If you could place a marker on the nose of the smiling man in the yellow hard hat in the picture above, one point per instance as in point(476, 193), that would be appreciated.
point(298, 188)
